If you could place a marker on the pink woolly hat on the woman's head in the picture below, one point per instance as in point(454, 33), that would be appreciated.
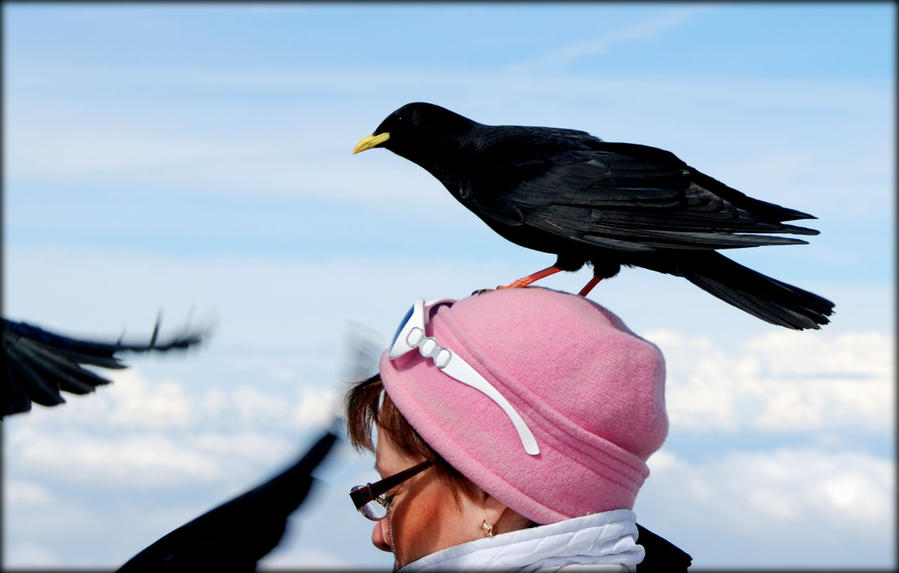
point(590, 390)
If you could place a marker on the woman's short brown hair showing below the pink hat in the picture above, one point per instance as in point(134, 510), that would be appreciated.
point(364, 411)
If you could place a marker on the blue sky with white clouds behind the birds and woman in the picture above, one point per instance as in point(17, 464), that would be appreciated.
point(197, 159)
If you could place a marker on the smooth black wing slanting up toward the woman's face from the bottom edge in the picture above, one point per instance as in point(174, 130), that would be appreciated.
point(237, 534)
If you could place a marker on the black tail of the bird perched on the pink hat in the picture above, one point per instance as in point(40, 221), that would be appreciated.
point(769, 299)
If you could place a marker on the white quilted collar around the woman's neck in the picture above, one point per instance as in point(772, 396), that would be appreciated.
point(601, 542)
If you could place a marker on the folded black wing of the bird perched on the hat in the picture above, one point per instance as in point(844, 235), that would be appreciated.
point(633, 197)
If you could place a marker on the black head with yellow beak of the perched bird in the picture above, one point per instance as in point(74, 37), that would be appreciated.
point(415, 129)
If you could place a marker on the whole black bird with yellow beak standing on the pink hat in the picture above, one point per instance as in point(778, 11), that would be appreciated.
point(565, 192)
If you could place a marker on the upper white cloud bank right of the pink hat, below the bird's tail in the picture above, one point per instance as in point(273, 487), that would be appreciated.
point(780, 381)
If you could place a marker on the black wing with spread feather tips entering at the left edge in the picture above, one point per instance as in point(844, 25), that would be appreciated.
point(38, 364)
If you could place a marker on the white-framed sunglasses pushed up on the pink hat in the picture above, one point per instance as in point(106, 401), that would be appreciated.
point(411, 335)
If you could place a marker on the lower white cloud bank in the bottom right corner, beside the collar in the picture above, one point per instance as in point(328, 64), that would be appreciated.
point(761, 504)
